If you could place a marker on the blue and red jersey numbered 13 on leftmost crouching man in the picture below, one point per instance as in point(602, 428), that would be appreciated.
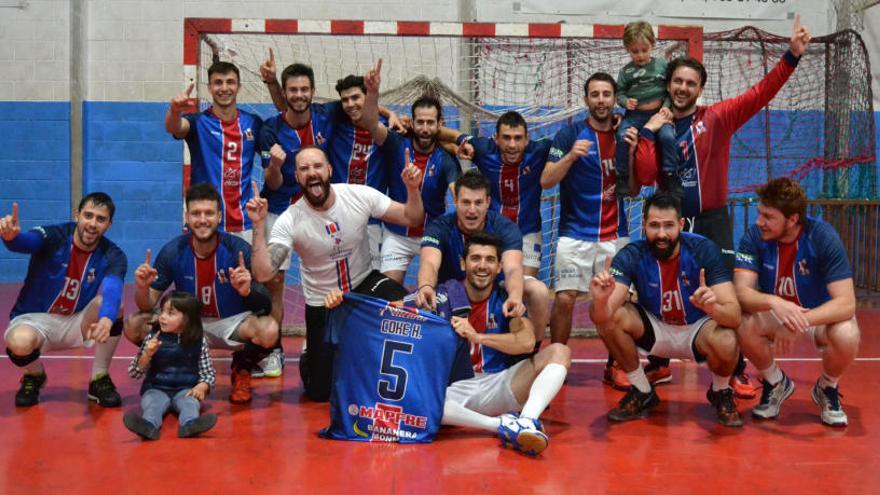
point(63, 279)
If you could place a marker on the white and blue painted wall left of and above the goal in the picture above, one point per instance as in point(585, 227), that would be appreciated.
point(123, 61)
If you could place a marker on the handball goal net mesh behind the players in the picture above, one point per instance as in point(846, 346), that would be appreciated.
point(818, 129)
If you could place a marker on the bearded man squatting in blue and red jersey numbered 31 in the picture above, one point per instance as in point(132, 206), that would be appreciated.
point(678, 315)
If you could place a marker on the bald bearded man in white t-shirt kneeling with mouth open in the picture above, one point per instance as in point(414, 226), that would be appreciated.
point(328, 231)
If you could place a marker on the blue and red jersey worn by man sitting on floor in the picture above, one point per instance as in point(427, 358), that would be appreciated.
point(485, 316)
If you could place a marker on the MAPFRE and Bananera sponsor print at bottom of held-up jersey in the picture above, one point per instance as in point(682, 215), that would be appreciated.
point(382, 422)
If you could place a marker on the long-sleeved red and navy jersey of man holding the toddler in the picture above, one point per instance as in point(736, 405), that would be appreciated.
point(704, 142)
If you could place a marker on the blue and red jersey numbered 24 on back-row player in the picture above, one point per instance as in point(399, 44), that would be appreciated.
point(355, 157)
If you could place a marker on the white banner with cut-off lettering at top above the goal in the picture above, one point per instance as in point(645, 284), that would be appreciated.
point(719, 9)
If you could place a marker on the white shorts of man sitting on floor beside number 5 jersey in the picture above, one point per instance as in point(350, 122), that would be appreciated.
point(487, 393)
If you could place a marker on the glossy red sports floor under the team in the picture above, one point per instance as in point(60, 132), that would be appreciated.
point(66, 444)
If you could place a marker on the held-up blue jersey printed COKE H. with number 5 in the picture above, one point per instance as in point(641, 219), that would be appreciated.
point(390, 371)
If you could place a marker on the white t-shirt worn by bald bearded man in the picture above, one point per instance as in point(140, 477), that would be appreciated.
point(332, 245)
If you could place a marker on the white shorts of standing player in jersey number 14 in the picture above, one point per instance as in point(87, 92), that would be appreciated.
point(577, 261)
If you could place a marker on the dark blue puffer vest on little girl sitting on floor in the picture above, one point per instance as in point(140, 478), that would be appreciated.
point(174, 366)
